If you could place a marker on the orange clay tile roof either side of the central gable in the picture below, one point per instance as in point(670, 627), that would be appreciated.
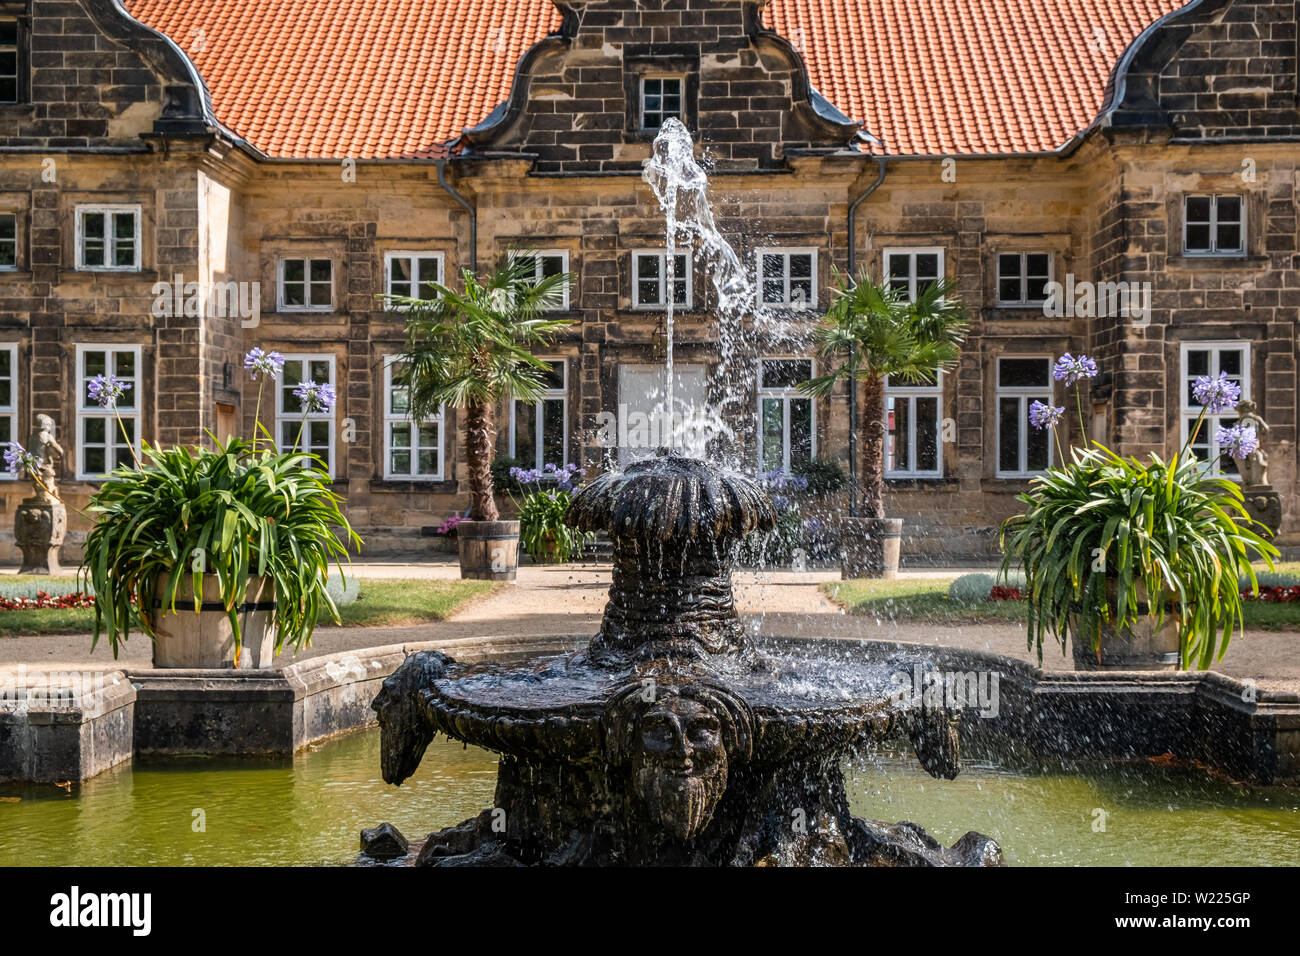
point(402, 79)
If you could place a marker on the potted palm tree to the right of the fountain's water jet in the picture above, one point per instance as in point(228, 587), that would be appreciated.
point(874, 332)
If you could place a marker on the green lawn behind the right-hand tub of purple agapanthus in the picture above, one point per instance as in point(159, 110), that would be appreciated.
point(926, 602)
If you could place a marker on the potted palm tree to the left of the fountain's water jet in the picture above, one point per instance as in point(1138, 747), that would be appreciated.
point(471, 351)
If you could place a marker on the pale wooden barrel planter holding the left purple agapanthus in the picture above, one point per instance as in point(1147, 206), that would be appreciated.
point(206, 639)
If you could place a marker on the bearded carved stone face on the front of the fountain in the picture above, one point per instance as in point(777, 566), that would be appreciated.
point(681, 765)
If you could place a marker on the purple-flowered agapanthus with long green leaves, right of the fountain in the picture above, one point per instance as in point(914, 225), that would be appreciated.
point(1107, 539)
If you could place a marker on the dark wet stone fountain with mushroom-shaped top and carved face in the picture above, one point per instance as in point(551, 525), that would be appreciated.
point(674, 738)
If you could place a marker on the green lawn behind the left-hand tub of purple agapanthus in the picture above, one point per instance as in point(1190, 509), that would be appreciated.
point(382, 603)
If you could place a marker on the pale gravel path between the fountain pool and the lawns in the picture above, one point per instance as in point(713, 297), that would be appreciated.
point(569, 600)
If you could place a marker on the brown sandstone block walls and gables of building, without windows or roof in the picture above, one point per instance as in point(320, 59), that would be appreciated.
point(1206, 106)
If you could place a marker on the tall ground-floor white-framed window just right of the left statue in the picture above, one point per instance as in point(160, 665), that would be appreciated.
point(102, 444)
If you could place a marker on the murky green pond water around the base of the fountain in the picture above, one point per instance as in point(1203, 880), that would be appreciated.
point(310, 811)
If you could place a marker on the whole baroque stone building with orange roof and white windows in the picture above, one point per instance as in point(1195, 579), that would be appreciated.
point(183, 181)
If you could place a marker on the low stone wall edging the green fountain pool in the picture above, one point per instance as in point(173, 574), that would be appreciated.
point(83, 729)
